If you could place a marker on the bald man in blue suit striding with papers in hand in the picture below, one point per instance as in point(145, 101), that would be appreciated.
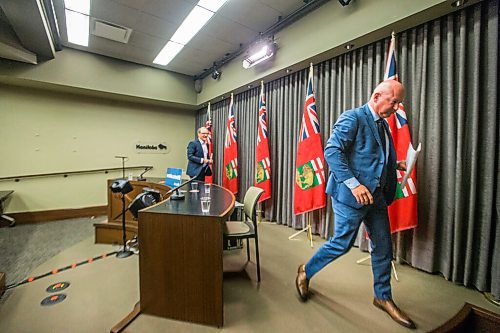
point(362, 183)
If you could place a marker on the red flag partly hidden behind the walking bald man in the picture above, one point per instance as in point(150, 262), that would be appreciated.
point(403, 210)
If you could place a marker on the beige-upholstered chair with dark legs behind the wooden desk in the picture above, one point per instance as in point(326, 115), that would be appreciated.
point(246, 229)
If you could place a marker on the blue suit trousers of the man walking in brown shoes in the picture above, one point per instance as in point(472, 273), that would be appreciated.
point(347, 222)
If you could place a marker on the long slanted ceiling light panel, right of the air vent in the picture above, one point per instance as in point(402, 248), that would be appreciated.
point(192, 24)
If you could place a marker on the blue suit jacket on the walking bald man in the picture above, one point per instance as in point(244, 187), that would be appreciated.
point(355, 150)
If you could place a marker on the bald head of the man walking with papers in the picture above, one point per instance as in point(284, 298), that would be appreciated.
point(386, 97)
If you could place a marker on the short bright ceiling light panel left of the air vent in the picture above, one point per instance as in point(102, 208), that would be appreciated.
point(77, 21)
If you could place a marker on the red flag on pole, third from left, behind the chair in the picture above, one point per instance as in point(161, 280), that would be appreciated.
point(262, 160)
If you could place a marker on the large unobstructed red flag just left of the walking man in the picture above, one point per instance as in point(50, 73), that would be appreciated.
point(309, 167)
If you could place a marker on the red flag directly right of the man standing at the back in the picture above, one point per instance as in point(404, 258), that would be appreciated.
point(230, 174)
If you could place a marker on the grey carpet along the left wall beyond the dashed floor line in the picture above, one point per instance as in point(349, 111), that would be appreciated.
point(25, 247)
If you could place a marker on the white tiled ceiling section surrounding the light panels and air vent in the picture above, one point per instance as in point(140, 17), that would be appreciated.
point(153, 22)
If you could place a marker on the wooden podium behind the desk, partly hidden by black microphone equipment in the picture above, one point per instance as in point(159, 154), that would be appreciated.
point(110, 231)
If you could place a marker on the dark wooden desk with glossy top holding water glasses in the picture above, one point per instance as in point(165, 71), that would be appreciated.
point(180, 259)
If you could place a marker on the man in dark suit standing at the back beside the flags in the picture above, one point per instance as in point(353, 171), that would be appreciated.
point(198, 159)
